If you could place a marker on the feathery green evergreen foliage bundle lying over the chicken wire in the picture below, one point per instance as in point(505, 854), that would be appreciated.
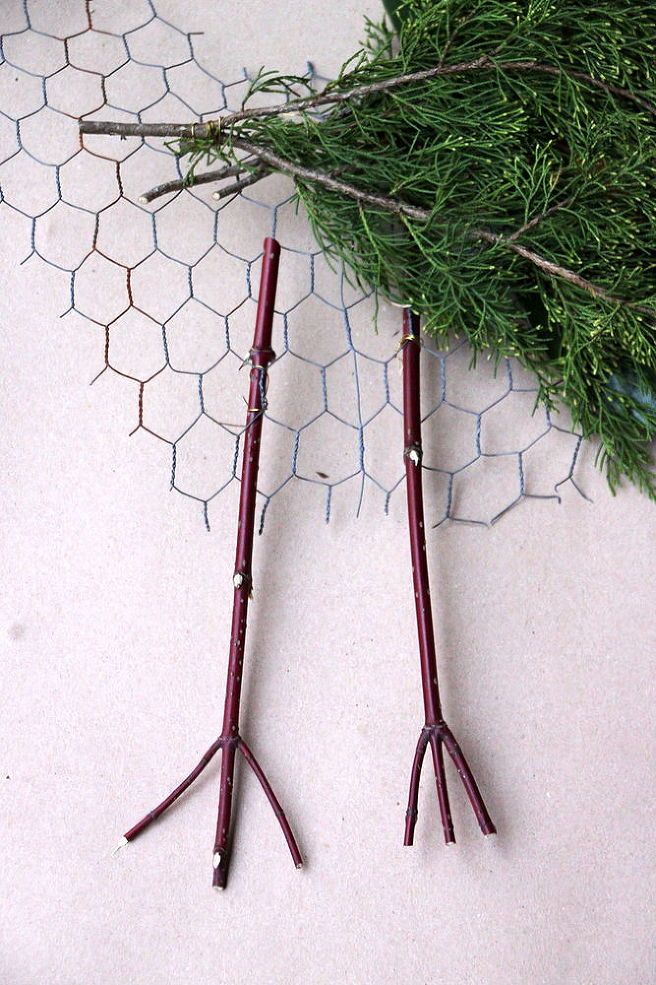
point(532, 133)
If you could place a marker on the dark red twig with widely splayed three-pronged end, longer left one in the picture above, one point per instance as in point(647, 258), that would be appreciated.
point(230, 739)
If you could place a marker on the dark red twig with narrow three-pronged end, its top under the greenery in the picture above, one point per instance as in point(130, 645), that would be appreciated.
point(435, 731)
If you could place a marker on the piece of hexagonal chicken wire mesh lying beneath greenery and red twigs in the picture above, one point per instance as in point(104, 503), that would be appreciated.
point(172, 289)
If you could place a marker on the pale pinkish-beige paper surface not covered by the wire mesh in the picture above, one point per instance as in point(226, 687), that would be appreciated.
point(115, 622)
